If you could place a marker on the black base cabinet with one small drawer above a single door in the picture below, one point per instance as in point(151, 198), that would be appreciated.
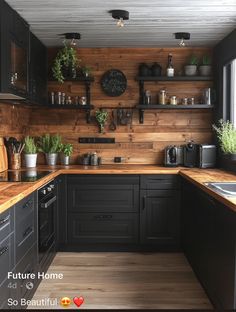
point(160, 211)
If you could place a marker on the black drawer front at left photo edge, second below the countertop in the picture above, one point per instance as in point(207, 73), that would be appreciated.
point(6, 257)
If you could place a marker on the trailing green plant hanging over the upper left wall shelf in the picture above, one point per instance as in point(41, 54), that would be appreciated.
point(65, 64)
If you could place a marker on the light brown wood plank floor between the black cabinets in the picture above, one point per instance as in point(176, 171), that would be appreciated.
point(125, 281)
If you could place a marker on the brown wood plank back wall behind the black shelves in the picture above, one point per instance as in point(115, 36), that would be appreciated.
point(137, 143)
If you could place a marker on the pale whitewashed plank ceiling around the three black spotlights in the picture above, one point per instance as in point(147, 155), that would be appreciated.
point(152, 22)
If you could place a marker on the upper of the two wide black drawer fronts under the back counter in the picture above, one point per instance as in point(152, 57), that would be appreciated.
point(103, 198)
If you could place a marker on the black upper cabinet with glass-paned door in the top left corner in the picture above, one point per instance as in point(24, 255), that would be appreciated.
point(14, 54)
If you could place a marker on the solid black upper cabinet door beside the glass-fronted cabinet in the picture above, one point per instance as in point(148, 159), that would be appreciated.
point(38, 71)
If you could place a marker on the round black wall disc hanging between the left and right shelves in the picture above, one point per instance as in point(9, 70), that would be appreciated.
point(114, 82)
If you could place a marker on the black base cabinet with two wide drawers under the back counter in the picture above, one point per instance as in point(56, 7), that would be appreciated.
point(103, 209)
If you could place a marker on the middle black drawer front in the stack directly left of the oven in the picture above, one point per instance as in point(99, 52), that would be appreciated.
point(25, 237)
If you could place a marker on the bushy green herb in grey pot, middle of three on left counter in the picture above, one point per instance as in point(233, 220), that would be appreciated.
point(50, 145)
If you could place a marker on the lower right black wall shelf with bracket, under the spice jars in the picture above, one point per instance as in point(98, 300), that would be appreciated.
point(142, 108)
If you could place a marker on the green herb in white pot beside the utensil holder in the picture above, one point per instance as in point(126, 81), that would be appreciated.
point(30, 152)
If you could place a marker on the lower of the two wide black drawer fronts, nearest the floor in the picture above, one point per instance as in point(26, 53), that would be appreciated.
point(103, 228)
